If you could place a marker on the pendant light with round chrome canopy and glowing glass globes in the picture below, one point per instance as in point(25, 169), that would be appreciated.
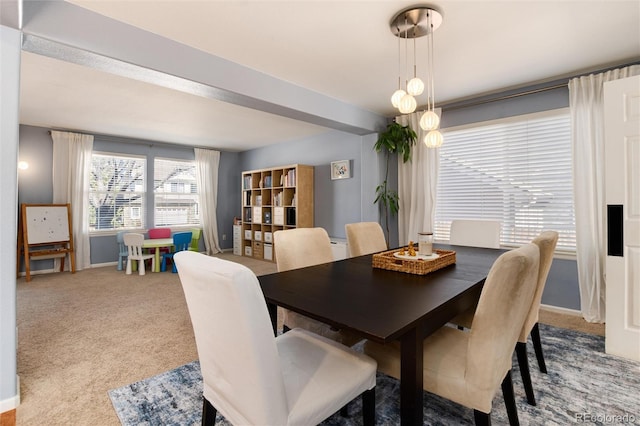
point(416, 22)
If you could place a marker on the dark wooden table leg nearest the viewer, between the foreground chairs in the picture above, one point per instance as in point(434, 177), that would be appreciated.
point(411, 378)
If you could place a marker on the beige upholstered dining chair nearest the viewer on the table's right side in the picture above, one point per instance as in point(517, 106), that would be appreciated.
point(468, 367)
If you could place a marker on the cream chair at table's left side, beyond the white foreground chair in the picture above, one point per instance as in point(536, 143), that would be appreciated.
point(299, 248)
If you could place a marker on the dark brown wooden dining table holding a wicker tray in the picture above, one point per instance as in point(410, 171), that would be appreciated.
point(384, 305)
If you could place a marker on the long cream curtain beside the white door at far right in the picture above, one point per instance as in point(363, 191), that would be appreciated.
point(587, 127)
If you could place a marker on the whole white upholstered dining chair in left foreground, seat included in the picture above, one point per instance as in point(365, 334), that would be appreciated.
point(252, 377)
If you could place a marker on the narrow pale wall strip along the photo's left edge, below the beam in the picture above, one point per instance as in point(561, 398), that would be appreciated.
point(9, 116)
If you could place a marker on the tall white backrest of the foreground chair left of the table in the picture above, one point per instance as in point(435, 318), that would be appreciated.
point(240, 364)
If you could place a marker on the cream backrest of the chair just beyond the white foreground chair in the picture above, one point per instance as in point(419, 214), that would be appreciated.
point(301, 247)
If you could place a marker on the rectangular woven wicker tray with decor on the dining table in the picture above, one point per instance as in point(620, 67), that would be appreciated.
point(402, 260)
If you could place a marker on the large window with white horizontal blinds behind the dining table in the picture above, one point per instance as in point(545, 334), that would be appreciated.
point(517, 171)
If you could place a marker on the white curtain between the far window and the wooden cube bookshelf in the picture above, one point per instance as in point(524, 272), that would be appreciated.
point(207, 162)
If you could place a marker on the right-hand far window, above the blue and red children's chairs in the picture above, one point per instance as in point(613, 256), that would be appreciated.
point(175, 193)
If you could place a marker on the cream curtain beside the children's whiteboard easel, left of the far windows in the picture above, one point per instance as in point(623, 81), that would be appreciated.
point(71, 167)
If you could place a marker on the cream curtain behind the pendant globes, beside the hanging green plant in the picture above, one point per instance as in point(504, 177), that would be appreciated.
point(417, 184)
